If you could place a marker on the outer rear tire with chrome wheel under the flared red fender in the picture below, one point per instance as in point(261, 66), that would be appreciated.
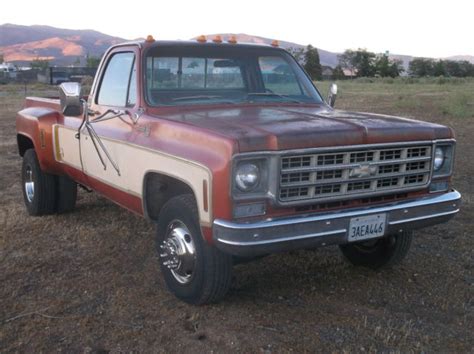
point(39, 188)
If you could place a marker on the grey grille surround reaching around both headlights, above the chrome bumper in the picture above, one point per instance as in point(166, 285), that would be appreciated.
point(271, 164)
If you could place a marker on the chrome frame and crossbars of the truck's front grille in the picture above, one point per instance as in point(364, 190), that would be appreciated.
point(311, 191)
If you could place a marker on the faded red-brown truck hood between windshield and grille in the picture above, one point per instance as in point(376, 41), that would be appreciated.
point(294, 127)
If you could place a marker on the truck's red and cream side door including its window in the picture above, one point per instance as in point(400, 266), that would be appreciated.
point(105, 152)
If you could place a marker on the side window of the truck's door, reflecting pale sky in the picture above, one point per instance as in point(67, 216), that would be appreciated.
point(117, 87)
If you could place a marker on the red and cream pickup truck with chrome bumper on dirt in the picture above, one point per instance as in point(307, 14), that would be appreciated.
point(232, 151)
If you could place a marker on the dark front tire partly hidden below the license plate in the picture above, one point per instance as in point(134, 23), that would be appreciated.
point(381, 253)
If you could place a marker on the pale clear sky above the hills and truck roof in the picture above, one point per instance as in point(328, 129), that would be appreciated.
point(411, 27)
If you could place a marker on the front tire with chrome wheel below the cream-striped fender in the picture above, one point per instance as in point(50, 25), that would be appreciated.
point(194, 271)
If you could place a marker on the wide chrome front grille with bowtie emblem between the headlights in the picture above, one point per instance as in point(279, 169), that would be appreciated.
point(355, 172)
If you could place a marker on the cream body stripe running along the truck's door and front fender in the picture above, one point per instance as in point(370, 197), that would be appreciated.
point(134, 163)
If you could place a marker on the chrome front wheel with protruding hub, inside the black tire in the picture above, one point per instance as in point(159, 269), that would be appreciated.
point(178, 252)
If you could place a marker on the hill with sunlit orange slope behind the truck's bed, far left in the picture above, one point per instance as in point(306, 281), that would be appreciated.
point(22, 44)
